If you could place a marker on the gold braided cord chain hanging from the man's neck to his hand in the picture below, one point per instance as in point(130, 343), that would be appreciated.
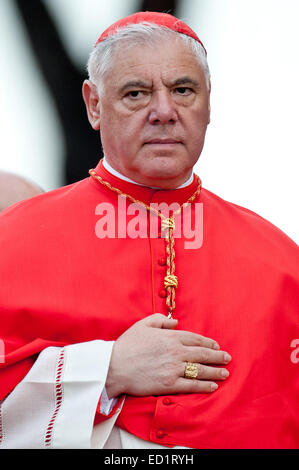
point(167, 225)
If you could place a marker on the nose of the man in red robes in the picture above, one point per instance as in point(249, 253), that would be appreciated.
point(163, 109)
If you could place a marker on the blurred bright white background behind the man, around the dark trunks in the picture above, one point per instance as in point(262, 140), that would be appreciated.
point(252, 151)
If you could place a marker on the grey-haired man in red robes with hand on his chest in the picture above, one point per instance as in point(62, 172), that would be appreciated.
point(140, 331)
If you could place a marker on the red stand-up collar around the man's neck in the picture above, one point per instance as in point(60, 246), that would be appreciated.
point(143, 193)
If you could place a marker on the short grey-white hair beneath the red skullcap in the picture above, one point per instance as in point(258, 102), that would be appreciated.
point(101, 57)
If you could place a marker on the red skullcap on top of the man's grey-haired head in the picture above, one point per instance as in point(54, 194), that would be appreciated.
point(161, 19)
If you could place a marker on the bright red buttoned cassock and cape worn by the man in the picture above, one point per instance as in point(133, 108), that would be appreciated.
point(62, 284)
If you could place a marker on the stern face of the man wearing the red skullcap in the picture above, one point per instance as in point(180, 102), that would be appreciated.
point(154, 113)
